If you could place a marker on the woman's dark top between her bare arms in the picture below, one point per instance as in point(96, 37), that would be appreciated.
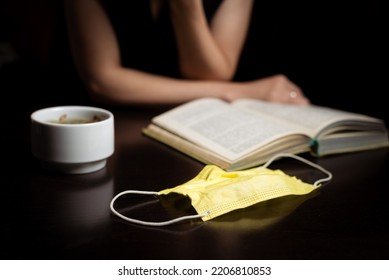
point(147, 44)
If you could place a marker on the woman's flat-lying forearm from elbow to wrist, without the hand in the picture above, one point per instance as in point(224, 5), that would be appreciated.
point(129, 86)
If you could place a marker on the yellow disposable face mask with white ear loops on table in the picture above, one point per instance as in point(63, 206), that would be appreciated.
point(214, 192)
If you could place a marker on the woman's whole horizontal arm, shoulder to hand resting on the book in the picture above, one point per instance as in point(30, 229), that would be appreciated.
point(97, 57)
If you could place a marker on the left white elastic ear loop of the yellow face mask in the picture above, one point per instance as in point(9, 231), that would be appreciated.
point(145, 223)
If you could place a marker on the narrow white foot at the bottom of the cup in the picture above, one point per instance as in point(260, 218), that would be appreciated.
point(74, 168)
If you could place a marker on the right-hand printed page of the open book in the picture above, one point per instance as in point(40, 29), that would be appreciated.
point(312, 119)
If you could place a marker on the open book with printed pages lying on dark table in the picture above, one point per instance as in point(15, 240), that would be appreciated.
point(247, 132)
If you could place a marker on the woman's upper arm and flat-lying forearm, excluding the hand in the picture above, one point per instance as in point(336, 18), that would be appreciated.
point(97, 57)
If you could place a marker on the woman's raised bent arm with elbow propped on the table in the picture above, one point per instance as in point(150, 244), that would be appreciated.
point(210, 51)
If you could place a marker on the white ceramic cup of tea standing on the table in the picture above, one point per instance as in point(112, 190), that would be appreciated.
point(72, 139)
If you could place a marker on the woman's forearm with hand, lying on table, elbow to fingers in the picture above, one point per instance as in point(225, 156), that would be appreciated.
point(127, 87)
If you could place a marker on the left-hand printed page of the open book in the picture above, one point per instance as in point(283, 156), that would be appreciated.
point(222, 128)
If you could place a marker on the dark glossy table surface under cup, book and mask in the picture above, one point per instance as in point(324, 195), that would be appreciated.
point(53, 216)
